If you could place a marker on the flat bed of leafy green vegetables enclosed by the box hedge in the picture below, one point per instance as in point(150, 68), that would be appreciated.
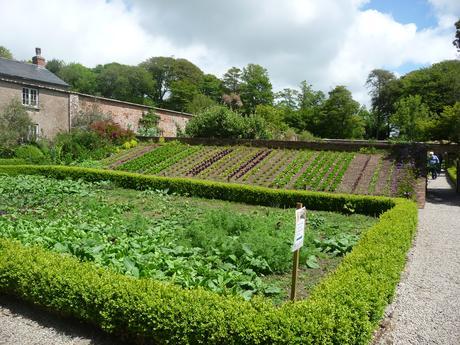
point(229, 248)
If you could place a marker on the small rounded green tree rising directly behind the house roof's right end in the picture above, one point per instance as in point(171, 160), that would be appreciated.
point(80, 78)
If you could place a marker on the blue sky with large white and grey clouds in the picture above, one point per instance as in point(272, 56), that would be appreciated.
point(325, 42)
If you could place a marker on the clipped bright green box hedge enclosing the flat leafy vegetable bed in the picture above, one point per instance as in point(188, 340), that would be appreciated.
point(344, 308)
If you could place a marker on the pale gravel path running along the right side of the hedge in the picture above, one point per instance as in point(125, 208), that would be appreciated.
point(426, 309)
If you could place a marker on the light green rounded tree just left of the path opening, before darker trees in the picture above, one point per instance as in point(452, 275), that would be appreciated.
point(412, 118)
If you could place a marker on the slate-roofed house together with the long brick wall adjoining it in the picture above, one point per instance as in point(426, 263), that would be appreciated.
point(52, 106)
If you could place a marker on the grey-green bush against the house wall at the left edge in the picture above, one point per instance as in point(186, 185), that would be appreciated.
point(15, 125)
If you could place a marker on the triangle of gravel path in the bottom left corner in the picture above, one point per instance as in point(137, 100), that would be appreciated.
point(23, 324)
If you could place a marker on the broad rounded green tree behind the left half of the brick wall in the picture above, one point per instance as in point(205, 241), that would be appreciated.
point(123, 82)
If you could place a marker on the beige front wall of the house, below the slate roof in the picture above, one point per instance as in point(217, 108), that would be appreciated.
point(51, 114)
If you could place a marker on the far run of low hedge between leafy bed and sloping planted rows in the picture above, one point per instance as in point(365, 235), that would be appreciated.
point(367, 205)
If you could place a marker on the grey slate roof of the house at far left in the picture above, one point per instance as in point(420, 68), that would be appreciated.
point(30, 72)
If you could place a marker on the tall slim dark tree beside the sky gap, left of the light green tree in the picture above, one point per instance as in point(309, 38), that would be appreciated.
point(382, 99)
